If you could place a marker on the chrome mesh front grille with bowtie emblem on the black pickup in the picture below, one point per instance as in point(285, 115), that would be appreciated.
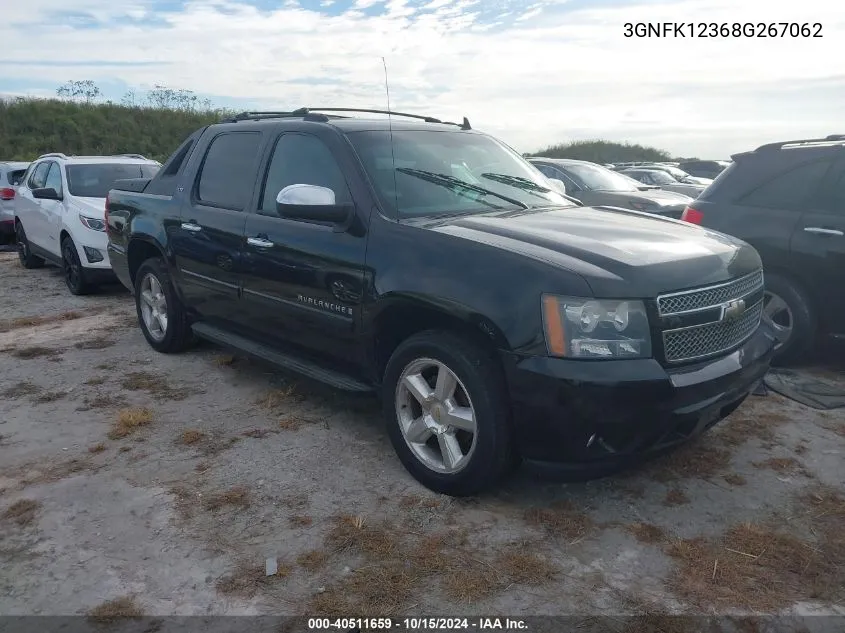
point(731, 323)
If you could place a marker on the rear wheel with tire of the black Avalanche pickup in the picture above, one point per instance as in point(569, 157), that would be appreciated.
point(161, 315)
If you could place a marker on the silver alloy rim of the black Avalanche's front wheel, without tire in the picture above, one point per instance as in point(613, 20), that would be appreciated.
point(436, 416)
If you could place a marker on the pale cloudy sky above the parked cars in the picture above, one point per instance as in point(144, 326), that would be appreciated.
point(532, 72)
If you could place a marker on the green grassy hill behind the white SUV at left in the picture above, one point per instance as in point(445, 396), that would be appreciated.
point(31, 127)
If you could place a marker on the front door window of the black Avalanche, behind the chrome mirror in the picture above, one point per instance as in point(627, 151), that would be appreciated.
point(302, 159)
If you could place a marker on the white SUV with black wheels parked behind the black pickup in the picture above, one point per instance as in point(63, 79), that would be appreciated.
point(60, 213)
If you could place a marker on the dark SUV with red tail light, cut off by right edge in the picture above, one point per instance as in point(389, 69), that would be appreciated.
point(788, 201)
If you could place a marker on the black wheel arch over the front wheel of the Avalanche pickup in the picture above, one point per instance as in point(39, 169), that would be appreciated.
point(401, 322)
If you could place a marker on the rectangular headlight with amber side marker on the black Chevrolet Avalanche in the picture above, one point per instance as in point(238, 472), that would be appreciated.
point(596, 328)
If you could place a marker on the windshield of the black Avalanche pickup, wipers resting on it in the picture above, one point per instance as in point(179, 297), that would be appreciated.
point(428, 173)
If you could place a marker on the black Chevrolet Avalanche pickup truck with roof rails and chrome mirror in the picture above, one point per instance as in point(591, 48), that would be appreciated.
point(433, 265)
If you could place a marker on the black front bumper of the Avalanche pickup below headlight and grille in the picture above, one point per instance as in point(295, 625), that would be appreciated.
point(582, 414)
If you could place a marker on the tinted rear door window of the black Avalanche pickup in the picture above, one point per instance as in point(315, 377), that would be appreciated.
point(228, 172)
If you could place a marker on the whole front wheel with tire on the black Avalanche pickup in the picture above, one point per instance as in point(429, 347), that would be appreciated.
point(447, 413)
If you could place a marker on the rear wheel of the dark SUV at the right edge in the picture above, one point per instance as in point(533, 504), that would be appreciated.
point(789, 311)
